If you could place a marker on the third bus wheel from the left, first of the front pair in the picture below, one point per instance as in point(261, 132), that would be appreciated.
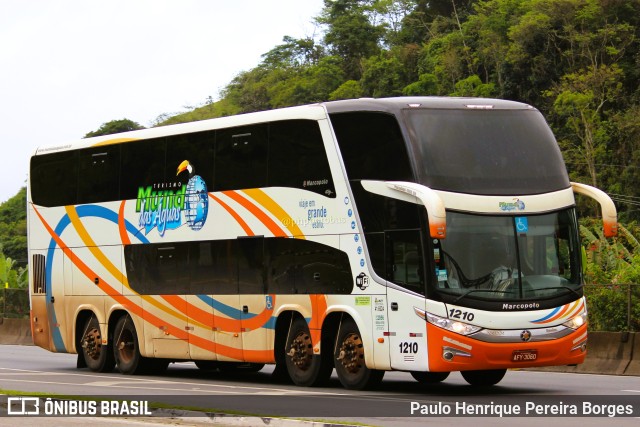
point(304, 368)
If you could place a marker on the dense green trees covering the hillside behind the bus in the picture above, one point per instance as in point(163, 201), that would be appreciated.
point(578, 61)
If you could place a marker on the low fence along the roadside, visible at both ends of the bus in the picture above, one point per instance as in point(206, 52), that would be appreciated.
point(612, 308)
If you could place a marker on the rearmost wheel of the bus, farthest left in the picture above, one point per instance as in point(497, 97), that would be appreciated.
point(95, 354)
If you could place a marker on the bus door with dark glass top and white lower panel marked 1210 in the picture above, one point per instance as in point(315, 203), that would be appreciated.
point(405, 293)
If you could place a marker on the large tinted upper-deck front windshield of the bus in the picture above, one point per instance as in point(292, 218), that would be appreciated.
point(489, 152)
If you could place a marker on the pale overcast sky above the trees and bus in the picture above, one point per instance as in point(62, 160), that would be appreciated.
point(68, 66)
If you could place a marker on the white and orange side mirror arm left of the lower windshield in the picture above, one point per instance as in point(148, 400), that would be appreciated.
point(414, 193)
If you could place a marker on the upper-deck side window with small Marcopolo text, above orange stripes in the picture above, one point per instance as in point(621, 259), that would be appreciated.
point(297, 157)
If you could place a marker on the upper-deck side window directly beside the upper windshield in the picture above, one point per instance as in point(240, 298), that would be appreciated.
point(372, 146)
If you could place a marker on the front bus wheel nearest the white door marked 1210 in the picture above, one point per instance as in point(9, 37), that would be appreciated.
point(349, 360)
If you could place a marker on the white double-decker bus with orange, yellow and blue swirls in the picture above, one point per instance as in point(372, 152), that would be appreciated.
point(426, 235)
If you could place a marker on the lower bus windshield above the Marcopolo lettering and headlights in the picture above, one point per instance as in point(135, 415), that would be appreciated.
point(508, 258)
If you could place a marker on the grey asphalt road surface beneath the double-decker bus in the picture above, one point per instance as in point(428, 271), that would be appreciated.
point(32, 369)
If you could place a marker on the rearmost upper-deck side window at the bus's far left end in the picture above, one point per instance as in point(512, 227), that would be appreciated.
point(53, 179)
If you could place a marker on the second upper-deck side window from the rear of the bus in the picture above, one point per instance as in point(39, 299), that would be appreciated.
point(99, 174)
